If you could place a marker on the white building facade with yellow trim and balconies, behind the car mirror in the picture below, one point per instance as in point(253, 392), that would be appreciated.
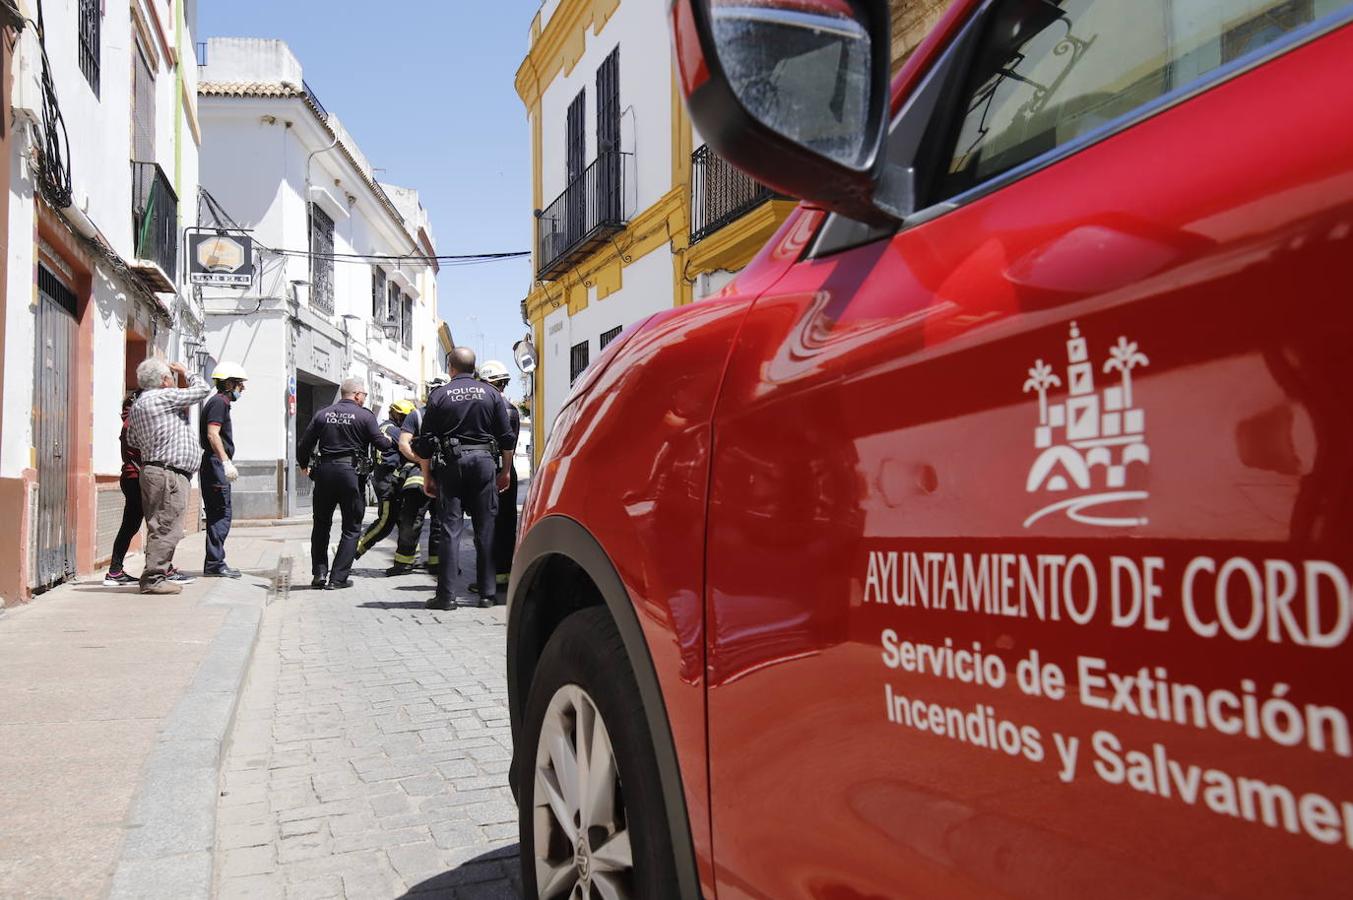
point(633, 213)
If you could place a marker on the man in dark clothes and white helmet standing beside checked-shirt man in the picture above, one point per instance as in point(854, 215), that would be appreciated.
point(219, 472)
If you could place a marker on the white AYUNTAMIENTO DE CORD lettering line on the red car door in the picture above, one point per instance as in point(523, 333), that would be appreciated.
point(1306, 603)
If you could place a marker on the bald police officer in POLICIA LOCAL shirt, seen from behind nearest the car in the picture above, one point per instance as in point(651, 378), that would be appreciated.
point(469, 420)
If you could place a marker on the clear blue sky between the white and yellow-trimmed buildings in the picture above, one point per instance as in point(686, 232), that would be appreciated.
point(427, 89)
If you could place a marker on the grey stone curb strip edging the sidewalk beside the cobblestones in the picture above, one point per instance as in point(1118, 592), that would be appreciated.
point(171, 829)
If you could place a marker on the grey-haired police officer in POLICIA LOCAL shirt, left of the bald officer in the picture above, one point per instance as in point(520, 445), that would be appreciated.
point(336, 446)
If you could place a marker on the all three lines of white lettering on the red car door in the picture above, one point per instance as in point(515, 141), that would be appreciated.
point(1283, 603)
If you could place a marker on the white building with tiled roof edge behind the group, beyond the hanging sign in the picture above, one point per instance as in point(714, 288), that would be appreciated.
point(344, 281)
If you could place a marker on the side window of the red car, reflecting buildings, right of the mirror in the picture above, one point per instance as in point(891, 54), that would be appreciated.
point(1051, 71)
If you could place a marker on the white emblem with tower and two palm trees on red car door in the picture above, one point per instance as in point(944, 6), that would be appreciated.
point(1090, 441)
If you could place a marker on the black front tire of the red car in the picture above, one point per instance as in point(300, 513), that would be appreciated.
point(587, 652)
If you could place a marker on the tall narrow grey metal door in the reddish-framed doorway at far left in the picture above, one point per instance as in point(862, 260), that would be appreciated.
point(56, 339)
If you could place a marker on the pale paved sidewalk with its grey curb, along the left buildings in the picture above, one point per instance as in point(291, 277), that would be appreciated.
point(113, 711)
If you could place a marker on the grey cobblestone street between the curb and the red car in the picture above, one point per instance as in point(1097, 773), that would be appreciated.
point(370, 752)
